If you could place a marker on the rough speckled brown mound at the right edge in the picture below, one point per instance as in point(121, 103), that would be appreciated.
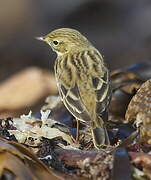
point(139, 111)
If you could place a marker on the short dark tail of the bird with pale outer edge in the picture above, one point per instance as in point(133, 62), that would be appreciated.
point(100, 136)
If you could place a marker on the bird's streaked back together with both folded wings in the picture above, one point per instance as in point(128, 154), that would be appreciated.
point(74, 99)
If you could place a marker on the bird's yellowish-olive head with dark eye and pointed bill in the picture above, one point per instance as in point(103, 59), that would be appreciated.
point(65, 40)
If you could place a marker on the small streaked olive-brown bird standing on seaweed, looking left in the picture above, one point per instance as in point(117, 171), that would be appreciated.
point(82, 79)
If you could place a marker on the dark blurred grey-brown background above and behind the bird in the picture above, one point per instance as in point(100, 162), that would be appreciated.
point(121, 30)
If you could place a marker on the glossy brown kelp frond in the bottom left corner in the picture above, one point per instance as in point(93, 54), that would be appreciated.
point(22, 163)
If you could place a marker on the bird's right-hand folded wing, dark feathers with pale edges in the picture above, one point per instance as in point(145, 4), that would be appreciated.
point(100, 80)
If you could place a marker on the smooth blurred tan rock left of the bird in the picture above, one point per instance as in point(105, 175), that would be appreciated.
point(25, 89)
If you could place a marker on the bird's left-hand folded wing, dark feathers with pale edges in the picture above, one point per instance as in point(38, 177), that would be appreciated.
point(69, 92)
